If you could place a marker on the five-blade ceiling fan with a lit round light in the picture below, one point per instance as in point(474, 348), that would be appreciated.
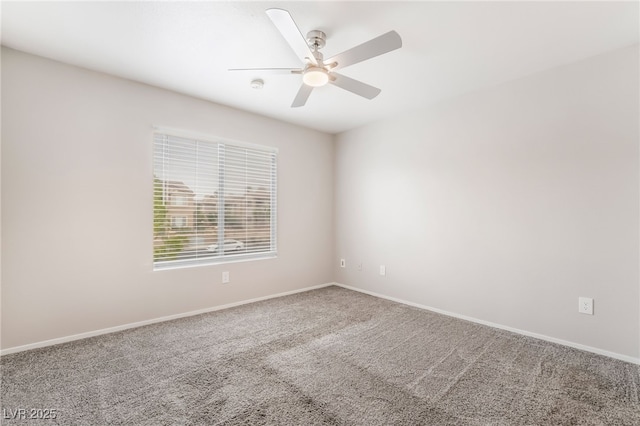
point(317, 71)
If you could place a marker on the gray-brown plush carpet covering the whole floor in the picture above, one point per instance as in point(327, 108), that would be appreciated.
point(329, 356)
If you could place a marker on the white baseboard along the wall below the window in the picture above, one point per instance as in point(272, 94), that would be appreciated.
point(80, 336)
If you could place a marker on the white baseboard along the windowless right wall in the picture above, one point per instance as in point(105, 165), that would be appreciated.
point(499, 326)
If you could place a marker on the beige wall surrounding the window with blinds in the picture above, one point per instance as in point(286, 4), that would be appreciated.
point(77, 203)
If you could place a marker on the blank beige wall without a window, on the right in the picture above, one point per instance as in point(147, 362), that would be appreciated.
point(505, 205)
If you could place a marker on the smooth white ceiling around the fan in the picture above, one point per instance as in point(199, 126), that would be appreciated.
point(449, 48)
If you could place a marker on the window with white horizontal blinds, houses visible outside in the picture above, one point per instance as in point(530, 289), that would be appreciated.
point(213, 201)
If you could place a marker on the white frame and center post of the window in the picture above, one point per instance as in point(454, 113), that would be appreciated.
point(222, 143)
